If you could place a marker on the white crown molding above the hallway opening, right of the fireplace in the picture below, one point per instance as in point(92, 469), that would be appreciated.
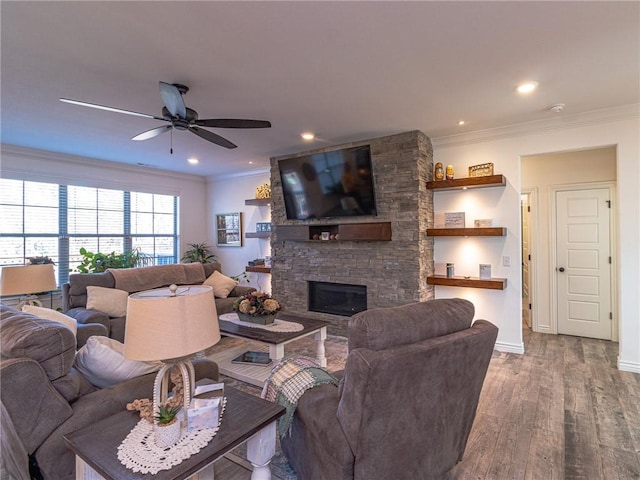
point(595, 117)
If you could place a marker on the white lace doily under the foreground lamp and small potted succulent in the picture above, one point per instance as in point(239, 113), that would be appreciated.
point(139, 452)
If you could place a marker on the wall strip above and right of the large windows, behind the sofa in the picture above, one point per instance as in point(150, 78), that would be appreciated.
point(40, 166)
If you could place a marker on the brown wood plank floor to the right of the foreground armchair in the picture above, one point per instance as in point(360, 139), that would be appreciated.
point(560, 411)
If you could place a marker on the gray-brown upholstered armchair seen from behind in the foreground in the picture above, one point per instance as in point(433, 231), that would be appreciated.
point(407, 401)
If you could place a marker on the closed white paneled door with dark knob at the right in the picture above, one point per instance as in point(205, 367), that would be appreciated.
point(583, 268)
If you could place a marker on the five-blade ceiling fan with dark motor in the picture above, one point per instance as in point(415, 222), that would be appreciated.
point(176, 113)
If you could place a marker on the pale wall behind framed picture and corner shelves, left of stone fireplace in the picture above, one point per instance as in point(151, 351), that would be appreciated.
point(227, 195)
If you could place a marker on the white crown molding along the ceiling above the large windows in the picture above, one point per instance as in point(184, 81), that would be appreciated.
point(15, 151)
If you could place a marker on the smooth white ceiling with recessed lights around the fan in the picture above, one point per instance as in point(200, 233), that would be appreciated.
point(345, 70)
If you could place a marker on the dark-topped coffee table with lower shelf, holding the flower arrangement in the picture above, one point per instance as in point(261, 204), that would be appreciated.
point(263, 340)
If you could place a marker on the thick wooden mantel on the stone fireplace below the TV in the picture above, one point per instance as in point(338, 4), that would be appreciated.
point(357, 232)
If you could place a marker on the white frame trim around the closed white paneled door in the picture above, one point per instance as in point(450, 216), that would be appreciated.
point(553, 292)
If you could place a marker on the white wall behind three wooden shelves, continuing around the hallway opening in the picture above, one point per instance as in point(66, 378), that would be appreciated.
point(505, 147)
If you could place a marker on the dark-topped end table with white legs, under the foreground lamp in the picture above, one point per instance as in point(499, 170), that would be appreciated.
point(246, 419)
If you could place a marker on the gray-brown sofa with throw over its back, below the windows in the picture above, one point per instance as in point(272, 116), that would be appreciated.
point(74, 293)
